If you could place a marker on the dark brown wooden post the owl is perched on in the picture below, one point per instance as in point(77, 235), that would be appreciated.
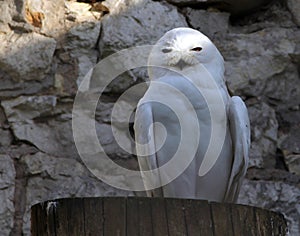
point(132, 216)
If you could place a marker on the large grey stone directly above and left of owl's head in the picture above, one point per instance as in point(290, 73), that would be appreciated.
point(131, 28)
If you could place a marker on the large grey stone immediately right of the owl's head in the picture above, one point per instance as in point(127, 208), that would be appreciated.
point(247, 70)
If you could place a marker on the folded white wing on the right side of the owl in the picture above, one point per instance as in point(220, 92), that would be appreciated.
point(240, 135)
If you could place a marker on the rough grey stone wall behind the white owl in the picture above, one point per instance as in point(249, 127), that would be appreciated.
point(47, 47)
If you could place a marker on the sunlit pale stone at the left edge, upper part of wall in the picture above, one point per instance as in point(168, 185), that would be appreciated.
point(26, 58)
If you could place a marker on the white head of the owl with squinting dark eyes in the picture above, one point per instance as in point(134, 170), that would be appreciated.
point(181, 48)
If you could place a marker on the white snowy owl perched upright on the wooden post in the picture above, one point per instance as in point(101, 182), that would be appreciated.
point(187, 107)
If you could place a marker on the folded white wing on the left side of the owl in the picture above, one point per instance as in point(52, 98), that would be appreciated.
point(144, 135)
